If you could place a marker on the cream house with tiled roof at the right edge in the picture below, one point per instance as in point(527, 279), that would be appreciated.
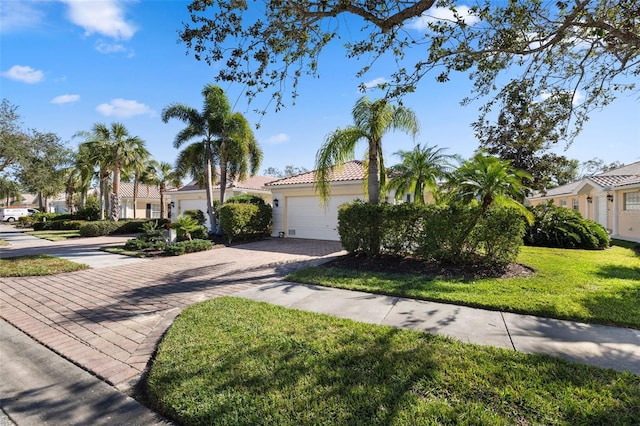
point(611, 199)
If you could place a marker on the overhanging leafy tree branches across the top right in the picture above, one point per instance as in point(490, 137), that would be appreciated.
point(563, 49)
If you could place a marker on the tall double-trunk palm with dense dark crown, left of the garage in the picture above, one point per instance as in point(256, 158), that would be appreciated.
point(223, 136)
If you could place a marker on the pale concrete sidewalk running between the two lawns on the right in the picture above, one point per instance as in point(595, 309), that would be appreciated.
point(608, 347)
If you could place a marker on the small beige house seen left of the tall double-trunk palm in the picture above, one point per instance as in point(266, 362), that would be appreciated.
point(148, 202)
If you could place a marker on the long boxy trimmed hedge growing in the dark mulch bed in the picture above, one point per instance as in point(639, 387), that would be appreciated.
point(431, 232)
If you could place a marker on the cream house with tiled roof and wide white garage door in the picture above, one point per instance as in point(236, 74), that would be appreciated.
point(299, 213)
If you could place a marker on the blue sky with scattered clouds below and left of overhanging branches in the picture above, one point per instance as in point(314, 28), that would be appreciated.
point(69, 64)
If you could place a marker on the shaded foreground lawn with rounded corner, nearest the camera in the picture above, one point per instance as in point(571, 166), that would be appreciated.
point(233, 361)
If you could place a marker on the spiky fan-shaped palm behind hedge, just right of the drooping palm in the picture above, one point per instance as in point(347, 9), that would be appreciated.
point(419, 170)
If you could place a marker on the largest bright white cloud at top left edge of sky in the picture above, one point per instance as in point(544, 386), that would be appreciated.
point(104, 17)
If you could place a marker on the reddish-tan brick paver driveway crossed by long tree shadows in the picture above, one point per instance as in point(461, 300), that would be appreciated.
point(109, 320)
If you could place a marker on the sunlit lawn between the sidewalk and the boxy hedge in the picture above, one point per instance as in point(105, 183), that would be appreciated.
point(601, 286)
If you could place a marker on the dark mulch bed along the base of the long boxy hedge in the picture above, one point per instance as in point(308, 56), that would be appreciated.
point(399, 265)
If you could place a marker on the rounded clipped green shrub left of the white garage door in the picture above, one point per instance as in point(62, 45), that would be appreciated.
point(244, 220)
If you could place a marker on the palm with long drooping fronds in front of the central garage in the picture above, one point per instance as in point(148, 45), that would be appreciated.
point(372, 120)
